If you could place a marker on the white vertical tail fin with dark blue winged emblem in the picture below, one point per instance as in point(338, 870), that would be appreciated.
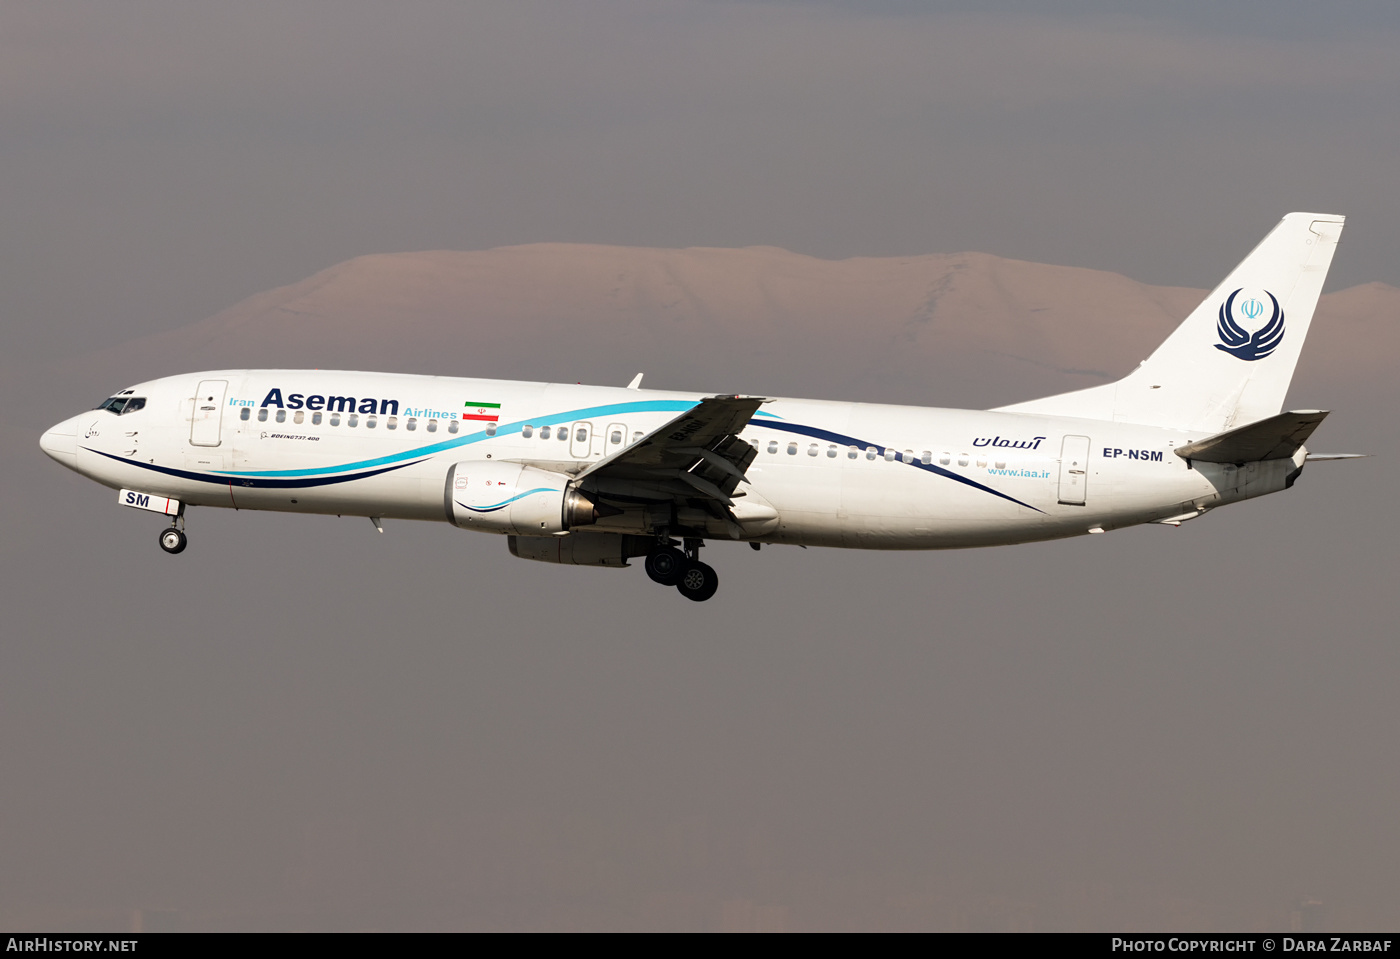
point(1230, 363)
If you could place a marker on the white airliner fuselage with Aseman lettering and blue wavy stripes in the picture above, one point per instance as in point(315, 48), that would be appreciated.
point(828, 474)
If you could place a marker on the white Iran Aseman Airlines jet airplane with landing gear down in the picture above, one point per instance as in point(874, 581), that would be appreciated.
point(601, 475)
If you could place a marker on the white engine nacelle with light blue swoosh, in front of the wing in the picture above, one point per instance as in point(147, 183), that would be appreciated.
point(512, 499)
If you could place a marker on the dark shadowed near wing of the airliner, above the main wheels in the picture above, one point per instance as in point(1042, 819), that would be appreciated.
point(696, 461)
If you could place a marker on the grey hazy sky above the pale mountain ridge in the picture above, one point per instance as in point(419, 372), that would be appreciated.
point(163, 160)
